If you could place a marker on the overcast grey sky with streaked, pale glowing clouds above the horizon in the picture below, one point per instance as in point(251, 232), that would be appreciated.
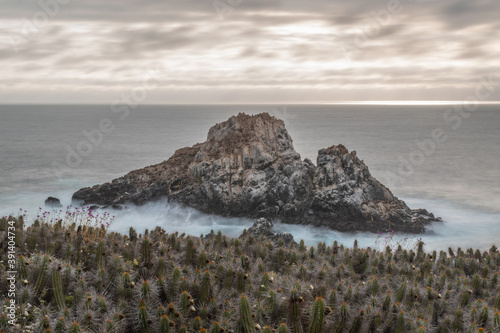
point(247, 51)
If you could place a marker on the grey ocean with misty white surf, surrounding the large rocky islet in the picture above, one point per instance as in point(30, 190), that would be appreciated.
point(437, 157)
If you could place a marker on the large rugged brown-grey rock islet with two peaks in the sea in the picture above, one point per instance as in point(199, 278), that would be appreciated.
point(249, 168)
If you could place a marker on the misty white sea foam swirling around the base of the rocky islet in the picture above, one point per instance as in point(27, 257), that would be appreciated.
point(462, 227)
